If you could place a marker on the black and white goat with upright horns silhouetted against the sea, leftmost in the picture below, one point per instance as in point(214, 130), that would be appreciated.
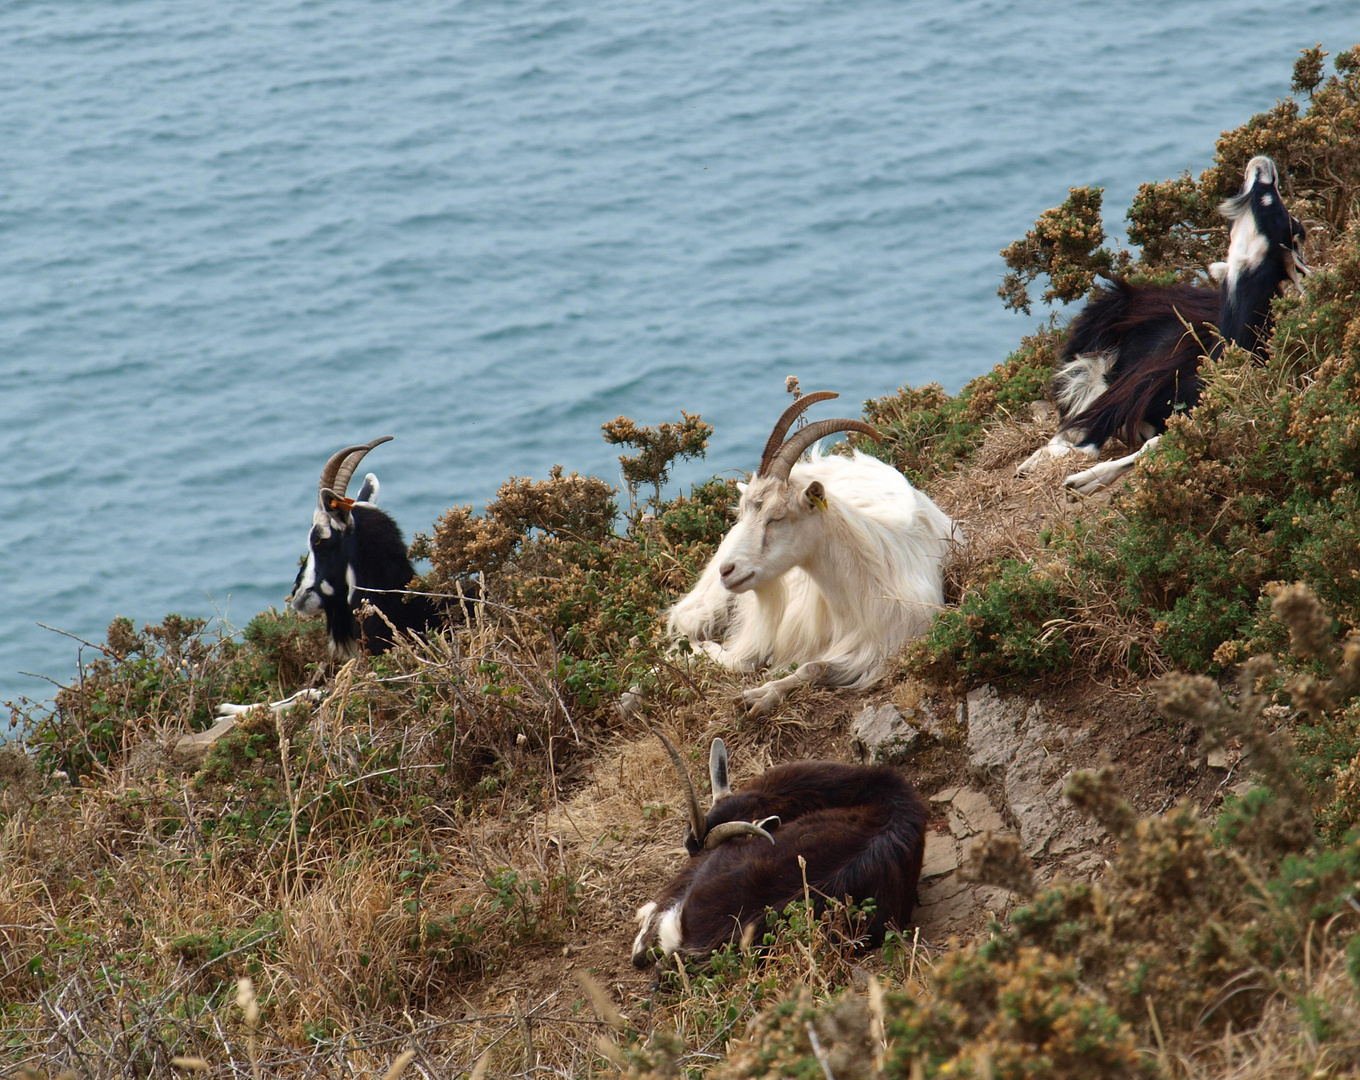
point(357, 554)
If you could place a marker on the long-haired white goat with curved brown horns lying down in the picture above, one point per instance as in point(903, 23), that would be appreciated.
point(833, 565)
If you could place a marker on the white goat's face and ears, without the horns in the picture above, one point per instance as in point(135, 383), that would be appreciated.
point(772, 534)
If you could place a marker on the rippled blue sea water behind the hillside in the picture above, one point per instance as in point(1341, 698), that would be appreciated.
point(236, 237)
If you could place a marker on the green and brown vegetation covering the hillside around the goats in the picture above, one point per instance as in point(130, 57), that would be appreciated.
point(435, 868)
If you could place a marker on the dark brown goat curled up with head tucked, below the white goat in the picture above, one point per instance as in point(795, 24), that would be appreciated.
point(859, 829)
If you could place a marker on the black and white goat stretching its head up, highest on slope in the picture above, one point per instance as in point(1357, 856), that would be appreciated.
point(1134, 356)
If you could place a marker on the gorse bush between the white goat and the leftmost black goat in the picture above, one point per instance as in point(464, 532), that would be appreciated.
point(549, 552)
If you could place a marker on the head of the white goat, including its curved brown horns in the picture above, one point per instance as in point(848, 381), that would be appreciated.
point(776, 530)
